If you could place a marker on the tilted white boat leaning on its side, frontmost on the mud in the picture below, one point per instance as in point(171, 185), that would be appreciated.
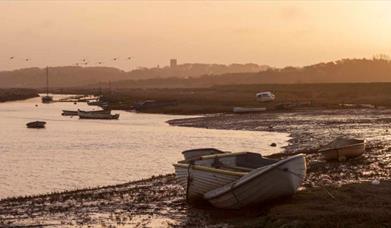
point(265, 183)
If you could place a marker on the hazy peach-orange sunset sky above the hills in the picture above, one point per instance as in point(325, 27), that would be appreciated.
point(151, 32)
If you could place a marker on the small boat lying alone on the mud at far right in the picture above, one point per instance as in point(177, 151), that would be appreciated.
point(342, 148)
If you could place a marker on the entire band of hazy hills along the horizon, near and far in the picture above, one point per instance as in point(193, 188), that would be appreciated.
point(201, 75)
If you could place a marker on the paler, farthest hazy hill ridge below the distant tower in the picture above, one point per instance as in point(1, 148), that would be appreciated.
point(76, 76)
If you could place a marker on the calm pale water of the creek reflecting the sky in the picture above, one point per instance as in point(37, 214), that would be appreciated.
point(72, 153)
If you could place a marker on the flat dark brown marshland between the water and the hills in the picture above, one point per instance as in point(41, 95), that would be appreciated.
point(222, 99)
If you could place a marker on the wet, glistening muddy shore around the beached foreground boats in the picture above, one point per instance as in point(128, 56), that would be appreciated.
point(331, 189)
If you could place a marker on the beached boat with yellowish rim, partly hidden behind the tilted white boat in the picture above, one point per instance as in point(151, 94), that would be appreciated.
point(213, 171)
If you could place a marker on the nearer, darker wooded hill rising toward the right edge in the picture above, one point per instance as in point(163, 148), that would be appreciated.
point(345, 70)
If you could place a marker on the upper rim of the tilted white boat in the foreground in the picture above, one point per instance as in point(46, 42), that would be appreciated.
point(260, 172)
